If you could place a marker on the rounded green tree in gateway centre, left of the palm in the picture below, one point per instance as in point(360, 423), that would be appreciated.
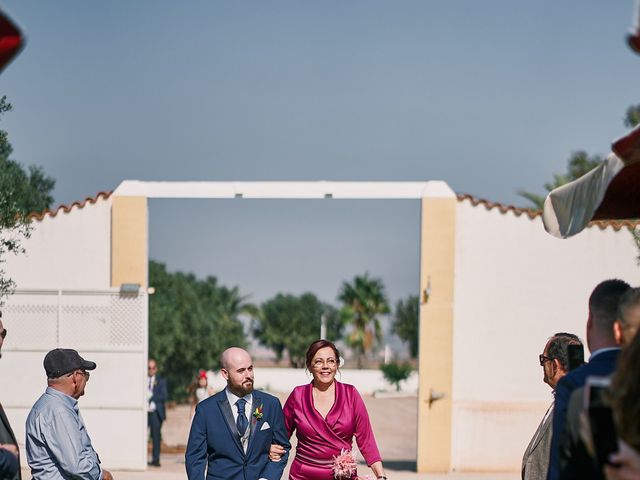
point(290, 323)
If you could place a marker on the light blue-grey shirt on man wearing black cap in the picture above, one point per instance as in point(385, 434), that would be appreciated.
point(58, 445)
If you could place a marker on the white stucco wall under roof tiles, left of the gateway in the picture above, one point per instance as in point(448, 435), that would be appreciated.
point(67, 251)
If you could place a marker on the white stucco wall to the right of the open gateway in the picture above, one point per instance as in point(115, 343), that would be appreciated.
point(515, 286)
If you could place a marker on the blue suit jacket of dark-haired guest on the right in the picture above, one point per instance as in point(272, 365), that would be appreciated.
point(602, 365)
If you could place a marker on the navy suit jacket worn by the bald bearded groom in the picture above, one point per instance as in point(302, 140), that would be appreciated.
point(214, 443)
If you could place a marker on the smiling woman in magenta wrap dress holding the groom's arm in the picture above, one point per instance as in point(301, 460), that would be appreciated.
point(326, 415)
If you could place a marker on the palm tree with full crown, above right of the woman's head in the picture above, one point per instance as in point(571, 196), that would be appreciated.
point(363, 300)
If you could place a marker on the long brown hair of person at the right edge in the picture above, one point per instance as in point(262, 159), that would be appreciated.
point(625, 392)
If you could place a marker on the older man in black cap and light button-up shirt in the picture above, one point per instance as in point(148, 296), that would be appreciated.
point(58, 446)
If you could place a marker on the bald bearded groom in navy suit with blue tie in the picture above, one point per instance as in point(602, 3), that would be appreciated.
point(232, 431)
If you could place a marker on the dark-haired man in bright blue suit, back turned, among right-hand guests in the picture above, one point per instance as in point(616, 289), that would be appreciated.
point(603, 312)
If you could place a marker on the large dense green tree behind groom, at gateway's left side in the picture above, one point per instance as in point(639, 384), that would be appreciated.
point(191, 322)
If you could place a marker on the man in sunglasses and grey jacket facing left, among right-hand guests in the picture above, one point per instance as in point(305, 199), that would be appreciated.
point(555, 364)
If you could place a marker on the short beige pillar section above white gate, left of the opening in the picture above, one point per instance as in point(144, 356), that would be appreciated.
point(129, 240)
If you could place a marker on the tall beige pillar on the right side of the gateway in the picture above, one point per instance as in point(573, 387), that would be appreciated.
point(437, 260)
